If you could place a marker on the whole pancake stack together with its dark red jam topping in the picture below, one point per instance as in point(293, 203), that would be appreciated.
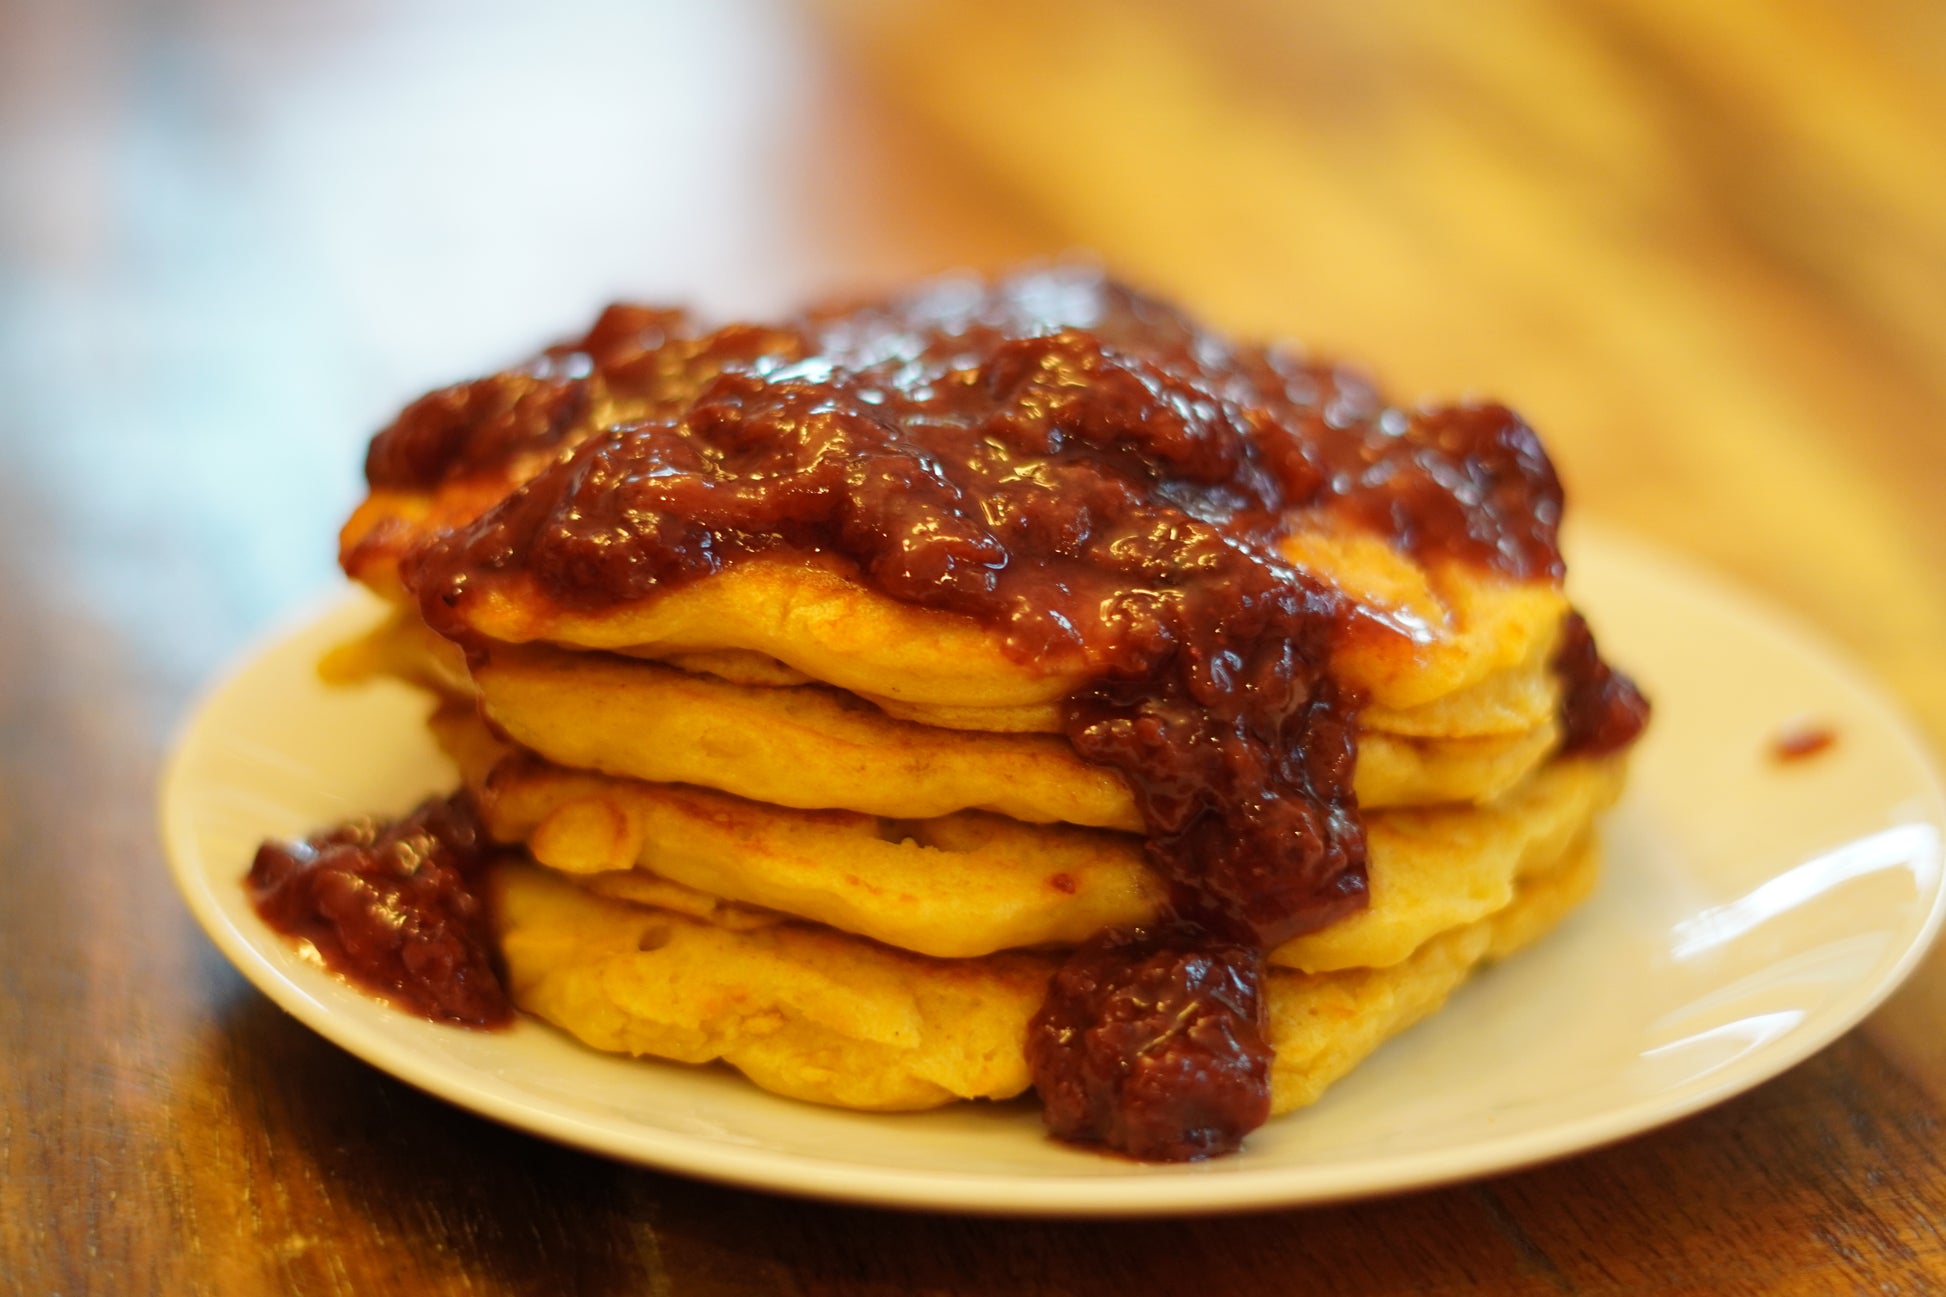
point(1009, 685)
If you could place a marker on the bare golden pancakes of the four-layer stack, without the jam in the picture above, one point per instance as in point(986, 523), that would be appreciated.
point(840, 842)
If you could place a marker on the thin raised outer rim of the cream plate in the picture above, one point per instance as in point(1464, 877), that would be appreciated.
point(1147, 1191)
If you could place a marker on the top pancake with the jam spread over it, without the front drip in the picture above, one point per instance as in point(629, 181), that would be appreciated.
point(554, 488)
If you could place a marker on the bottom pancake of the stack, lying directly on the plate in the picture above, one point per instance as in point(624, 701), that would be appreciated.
point(836, 1019)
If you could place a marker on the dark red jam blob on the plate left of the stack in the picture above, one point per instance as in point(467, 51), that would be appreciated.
point(392, 907)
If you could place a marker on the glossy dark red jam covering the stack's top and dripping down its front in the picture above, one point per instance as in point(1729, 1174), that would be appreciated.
point(1100, 480)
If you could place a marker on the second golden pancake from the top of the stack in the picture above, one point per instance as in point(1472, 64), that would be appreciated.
point(820, 749)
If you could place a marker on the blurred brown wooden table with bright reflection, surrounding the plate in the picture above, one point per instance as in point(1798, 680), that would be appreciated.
point(1704, 246)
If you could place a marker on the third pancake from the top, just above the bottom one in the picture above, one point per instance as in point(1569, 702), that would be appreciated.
point(972, 883)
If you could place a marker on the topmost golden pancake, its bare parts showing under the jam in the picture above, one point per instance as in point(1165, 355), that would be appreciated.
point(1459, 630)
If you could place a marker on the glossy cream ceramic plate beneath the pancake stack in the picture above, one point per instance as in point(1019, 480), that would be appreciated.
point(1750, 914)
